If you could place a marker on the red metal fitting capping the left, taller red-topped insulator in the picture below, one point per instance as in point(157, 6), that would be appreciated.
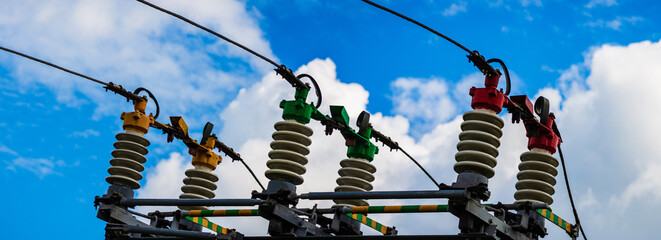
point(488, 97)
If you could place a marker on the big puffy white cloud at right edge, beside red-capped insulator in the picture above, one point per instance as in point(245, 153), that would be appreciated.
point(609, 129)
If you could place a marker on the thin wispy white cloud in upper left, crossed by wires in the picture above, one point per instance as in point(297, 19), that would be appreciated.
point(134, 45)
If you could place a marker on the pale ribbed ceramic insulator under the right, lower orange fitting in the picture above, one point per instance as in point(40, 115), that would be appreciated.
point(199, 183)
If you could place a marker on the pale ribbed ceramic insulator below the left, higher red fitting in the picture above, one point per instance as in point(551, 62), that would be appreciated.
point(479, 142)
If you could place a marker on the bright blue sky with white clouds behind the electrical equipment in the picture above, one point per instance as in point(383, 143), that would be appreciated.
point(597, 61)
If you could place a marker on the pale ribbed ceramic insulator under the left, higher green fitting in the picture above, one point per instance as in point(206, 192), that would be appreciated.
point(290, 146)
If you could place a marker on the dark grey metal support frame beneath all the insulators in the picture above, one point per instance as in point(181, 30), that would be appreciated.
point(476, 221)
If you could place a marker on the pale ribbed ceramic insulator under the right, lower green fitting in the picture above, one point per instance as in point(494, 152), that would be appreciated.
point(356, 175)
